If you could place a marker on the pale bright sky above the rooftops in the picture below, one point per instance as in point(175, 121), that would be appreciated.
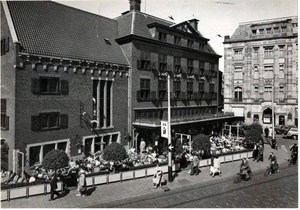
point(215, 16)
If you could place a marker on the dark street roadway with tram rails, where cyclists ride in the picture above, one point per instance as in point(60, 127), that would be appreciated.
point(278, 190)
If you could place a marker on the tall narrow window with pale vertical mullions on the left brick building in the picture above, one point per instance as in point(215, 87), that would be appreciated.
point(102, 92)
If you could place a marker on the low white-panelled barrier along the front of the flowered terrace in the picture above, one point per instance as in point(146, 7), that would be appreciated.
point(27, 191)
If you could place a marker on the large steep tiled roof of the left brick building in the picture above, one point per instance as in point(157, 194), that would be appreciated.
point(52, 29)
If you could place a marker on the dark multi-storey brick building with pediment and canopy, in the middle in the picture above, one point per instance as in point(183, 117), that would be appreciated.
point(156, 48)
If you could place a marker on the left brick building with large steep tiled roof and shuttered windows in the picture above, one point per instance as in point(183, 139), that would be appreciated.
point(63, 80)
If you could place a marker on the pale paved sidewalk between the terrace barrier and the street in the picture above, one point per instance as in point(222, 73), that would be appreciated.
point(133, 188)
